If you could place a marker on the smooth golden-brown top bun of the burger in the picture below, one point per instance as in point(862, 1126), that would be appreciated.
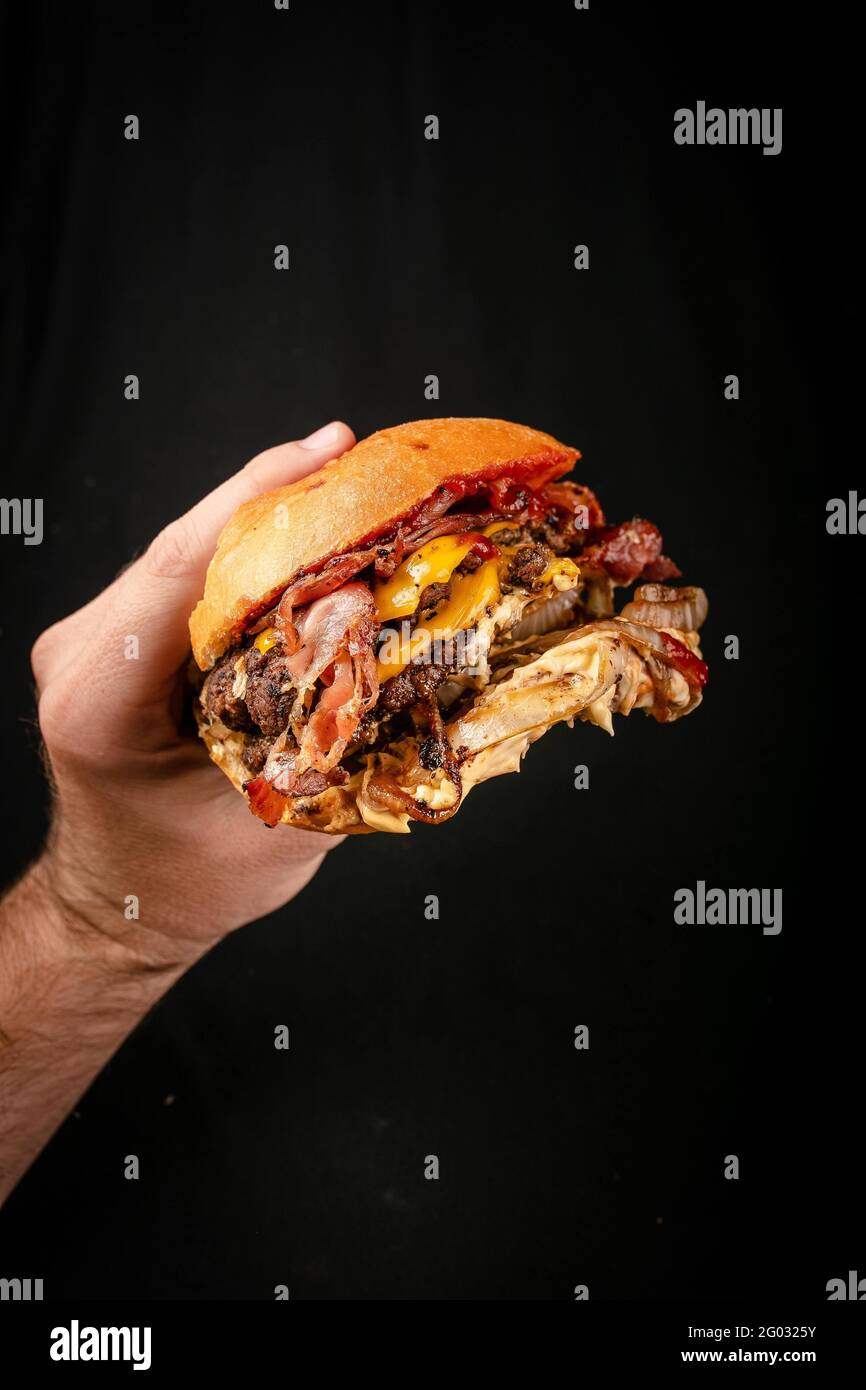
point(351, 502)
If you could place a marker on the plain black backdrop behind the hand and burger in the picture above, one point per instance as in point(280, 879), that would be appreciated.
point(455, 1038)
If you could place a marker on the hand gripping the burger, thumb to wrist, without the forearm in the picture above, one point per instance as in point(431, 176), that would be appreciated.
point(141, 811)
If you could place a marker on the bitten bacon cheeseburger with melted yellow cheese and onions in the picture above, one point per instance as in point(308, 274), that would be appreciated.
point(383, 636)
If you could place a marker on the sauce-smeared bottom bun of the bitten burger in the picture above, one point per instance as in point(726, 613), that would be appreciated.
point(586, 673)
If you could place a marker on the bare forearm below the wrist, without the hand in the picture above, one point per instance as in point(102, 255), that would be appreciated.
point(69, 997)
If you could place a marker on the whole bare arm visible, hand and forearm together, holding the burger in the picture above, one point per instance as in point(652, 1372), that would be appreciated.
point(141, 819)
